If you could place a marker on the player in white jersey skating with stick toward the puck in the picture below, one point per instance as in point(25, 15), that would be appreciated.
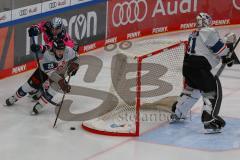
point(57, 63)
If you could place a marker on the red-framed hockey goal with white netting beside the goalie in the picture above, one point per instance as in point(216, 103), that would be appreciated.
point(142, 84)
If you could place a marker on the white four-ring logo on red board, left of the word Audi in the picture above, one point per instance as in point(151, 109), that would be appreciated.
point(129, 12)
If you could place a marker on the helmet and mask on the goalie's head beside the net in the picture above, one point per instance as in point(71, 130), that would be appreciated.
point(203, 20)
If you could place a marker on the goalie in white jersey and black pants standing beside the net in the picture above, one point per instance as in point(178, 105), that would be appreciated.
point(205, 51)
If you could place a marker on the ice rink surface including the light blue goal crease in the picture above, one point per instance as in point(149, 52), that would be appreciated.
point(26, 137)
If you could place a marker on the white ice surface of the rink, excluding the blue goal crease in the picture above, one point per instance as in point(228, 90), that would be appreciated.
point(25, 137)
